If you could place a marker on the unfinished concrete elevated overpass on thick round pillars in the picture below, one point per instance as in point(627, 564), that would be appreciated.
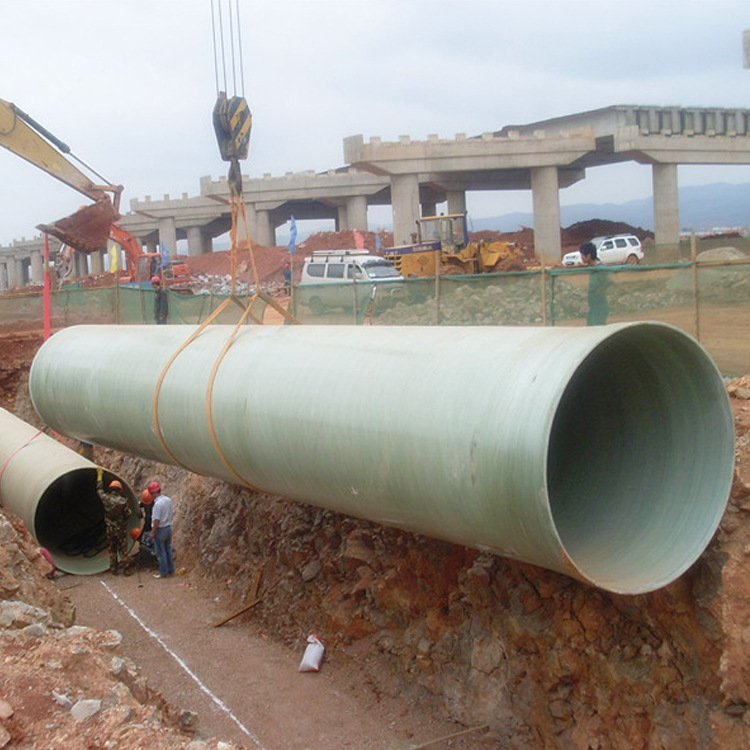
point(414, 176)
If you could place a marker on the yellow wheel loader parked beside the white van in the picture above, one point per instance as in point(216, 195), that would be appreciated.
point(448, 235)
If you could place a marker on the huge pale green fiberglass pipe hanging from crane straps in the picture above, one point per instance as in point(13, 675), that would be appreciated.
point(605, 453)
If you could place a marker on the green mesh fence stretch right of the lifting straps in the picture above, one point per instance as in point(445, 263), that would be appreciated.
point(710, 301)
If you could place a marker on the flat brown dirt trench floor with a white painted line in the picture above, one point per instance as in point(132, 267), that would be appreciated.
point(244, 687)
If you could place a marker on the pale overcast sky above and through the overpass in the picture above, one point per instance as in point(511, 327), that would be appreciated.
point(130, 84)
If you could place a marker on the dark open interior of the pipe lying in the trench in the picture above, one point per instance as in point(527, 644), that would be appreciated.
point(69, 522)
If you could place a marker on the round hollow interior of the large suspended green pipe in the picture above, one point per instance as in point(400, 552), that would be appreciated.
point(640, 459)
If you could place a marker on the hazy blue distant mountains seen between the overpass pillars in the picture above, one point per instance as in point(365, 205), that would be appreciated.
point(701, 207)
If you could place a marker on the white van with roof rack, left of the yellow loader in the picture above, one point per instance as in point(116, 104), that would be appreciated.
point(347, 273)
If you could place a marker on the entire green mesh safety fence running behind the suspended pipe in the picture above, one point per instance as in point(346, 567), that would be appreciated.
point(708, 300)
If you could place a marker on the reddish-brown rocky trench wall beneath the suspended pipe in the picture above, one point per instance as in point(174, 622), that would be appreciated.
point(546, 661)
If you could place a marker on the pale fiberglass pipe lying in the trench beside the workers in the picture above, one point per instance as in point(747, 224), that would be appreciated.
point(53, 490)
